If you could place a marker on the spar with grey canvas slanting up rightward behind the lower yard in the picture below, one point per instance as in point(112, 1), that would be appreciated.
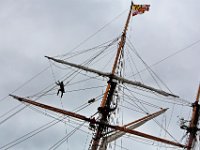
point(114, 135)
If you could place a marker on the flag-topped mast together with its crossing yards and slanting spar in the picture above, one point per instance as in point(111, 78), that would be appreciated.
point(102, 124)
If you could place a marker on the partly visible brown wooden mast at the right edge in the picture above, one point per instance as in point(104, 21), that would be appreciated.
point(193, 127)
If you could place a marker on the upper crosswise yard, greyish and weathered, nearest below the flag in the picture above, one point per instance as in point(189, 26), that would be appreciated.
point(113, 76)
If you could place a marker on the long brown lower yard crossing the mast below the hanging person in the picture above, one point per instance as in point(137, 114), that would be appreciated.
point(81, 117)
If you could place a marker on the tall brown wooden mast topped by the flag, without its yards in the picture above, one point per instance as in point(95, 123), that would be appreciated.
point(106, 101)
